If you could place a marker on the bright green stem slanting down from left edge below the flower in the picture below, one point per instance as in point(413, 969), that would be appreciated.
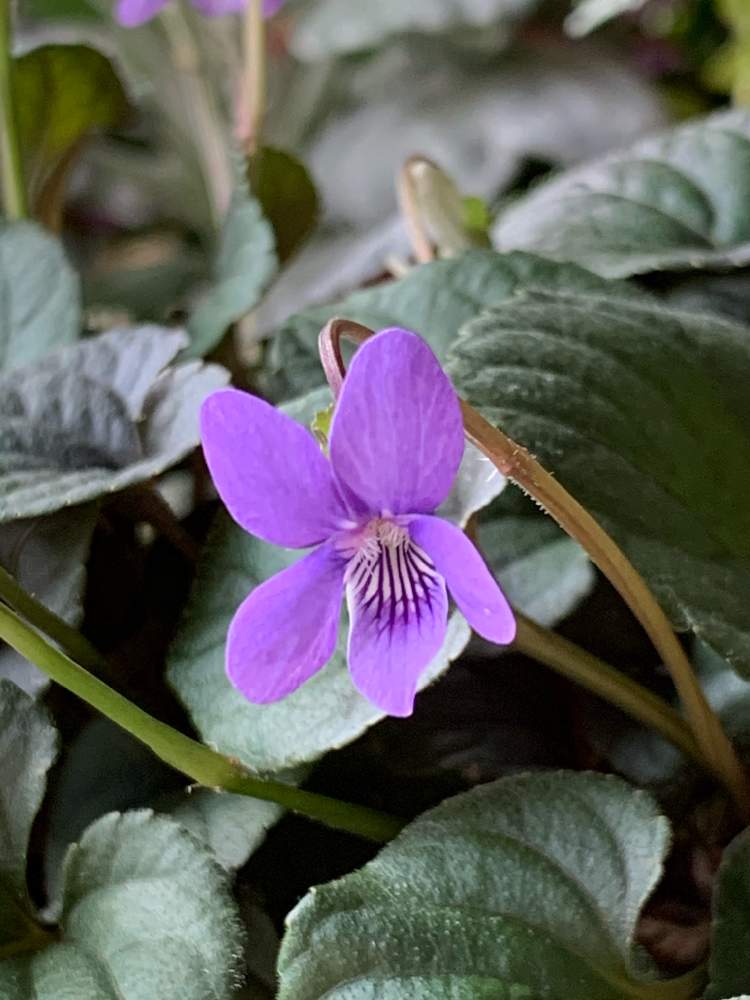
point(198, 762)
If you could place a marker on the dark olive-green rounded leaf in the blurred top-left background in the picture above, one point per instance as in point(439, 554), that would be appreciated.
point(62, 92)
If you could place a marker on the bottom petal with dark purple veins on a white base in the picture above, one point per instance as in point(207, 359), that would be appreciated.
point(398, 611)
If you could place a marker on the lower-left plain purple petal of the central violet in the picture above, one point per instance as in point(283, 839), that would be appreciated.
point(286, 630)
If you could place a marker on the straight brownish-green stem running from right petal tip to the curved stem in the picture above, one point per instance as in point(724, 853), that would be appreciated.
point(603, 680)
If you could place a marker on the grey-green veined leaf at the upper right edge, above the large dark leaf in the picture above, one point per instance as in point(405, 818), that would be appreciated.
point(677, 200)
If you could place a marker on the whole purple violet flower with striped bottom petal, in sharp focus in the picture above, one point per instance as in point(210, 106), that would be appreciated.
point(395, 446)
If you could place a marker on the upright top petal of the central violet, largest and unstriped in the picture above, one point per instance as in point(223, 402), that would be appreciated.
point(397, 435)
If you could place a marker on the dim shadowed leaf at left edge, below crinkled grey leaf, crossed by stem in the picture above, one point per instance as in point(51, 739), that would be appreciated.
point(47, 556)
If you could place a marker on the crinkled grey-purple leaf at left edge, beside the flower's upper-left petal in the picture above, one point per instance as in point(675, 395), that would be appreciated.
point(97, 417)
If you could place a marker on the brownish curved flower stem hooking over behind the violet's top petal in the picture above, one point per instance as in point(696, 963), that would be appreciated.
point(515, 462)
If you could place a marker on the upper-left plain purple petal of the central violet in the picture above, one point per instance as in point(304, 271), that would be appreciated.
point(269, 470)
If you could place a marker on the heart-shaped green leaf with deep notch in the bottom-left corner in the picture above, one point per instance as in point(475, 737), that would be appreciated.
point(146, 910)
